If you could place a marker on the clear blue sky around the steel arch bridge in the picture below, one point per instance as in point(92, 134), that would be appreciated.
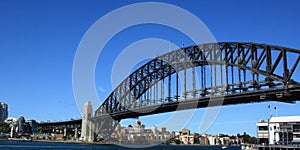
point(38, 41)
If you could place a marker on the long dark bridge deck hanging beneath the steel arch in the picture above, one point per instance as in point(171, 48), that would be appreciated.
point(191, 103)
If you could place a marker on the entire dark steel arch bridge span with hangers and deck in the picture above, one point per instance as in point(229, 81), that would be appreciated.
point(203, 75)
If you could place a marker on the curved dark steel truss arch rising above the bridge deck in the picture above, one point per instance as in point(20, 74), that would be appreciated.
point(253, 57)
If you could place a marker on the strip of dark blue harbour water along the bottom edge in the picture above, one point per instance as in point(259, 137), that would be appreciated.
point(11, 145)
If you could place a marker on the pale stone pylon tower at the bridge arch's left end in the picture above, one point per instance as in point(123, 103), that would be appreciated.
point(87, 127)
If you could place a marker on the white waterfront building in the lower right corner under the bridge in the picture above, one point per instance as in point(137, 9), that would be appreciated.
point(282, 130)
